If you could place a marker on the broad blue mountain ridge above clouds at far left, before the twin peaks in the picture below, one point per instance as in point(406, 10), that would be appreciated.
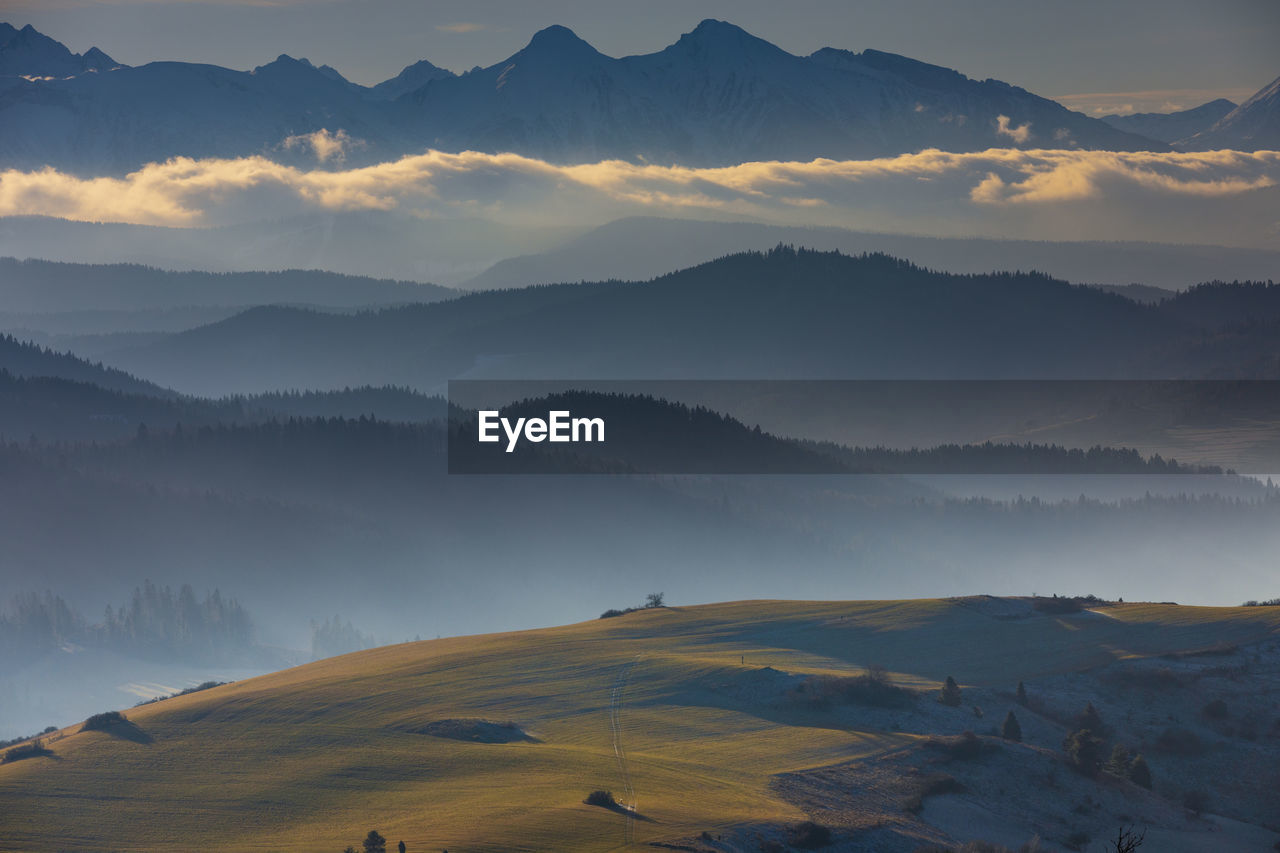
point(124, 120)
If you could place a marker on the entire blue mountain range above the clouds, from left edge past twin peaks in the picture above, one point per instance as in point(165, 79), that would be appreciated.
point(719, 95)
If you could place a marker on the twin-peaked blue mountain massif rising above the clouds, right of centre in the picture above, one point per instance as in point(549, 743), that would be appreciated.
point(721, 95)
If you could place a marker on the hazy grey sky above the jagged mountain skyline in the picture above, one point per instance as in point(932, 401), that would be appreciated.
point(1144, 54)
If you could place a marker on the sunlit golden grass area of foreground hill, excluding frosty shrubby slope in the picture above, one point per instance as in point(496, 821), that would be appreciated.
point(313, 758)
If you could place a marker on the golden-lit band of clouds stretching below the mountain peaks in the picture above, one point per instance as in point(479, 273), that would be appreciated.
point(1218, 197)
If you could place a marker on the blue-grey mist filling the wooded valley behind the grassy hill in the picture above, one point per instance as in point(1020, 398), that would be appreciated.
point(324, 536)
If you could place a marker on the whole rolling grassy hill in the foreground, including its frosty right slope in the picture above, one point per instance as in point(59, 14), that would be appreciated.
point(698, 717)
